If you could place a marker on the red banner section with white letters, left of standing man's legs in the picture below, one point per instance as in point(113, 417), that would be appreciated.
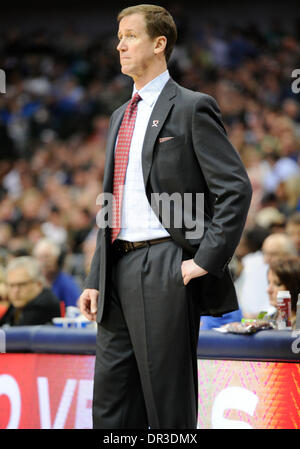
point(43, 391)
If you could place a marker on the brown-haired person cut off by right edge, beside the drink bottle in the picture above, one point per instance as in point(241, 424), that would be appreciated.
point(284, 274)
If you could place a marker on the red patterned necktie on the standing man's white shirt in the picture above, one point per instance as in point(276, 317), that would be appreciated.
point(121, 161)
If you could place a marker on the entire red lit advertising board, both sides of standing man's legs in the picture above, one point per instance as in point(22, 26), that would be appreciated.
point(42, 391)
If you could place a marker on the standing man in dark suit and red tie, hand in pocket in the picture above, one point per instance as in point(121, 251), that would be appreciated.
point(151, 277)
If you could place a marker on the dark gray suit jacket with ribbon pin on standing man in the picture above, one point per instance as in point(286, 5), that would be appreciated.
point(198, 159)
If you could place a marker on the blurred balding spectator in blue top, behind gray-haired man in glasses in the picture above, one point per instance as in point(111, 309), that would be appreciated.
point(62, 284)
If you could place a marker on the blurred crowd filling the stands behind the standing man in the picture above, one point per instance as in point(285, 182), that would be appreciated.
point(62, 88)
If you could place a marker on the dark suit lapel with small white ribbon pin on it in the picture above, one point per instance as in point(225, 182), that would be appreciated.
point(157, 119)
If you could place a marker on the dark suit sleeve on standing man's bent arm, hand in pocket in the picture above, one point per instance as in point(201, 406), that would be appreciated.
point(227, 179)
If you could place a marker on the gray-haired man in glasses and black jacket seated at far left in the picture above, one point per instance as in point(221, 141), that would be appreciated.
point(30, 302)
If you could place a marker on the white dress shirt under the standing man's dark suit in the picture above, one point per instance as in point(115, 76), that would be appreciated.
point(138, 221)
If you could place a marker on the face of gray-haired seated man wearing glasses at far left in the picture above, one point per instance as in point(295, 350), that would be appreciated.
point(21, 287)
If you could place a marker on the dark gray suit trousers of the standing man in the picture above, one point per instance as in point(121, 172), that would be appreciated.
point(146, 357)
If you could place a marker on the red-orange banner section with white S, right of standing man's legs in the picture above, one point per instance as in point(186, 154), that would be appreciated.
point(245, 395)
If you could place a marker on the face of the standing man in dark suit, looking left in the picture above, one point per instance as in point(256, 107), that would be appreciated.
point(135, 46)
